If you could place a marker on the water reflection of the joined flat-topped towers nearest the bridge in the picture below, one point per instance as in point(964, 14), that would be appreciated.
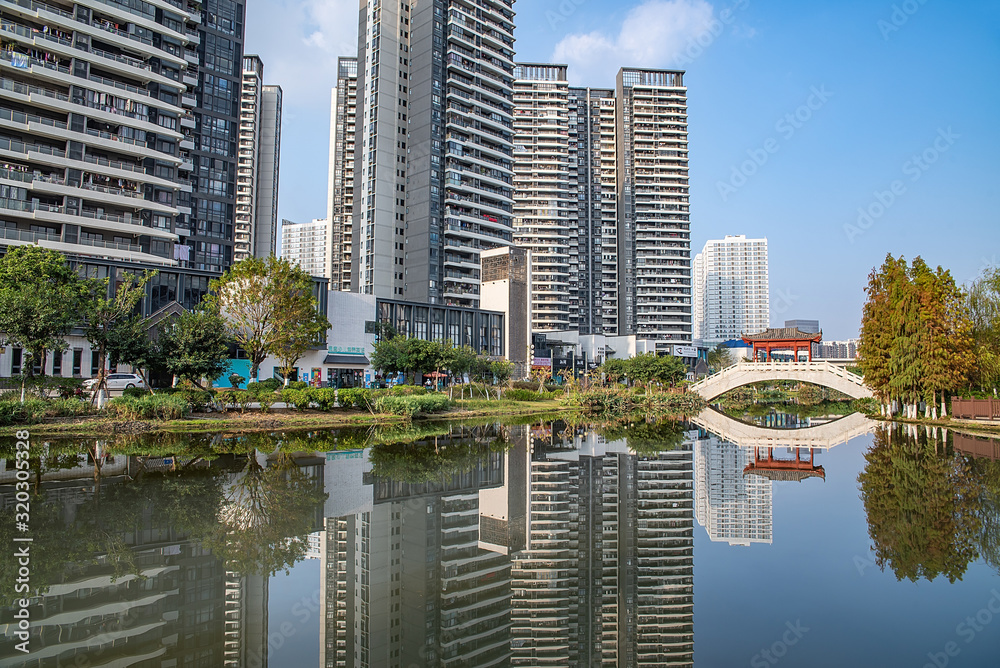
point(606, 578)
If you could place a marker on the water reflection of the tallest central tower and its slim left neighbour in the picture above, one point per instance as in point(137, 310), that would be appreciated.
point(406, 579)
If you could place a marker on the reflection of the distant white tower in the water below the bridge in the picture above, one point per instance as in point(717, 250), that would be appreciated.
point(733, 507)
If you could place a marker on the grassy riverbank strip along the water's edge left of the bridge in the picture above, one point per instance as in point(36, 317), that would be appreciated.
point(276, 419)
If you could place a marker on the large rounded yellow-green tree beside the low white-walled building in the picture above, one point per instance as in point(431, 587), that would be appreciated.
point(263, 300)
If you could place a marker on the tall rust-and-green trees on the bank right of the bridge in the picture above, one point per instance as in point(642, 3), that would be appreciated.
point(916, 337)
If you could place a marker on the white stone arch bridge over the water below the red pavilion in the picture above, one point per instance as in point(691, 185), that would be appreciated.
point(817, 373)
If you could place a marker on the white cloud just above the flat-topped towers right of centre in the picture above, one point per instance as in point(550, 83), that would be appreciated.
point(654, 34)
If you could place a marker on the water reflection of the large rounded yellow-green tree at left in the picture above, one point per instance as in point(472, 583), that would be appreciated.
point(265, 518)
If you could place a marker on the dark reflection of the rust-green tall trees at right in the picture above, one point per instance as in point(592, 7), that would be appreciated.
point(923, 506)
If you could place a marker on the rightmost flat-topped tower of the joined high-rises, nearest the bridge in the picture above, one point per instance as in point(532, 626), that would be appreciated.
point(654, 229)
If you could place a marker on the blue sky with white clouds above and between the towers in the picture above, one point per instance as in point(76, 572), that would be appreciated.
point(800, 115)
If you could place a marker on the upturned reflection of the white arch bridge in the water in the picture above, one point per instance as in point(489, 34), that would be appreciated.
point(826, 435)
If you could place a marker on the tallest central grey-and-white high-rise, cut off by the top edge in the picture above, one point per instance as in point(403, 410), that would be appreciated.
point(433, 150)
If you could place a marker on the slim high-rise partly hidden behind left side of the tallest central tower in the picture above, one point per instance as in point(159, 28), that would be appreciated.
point(340, 188)
